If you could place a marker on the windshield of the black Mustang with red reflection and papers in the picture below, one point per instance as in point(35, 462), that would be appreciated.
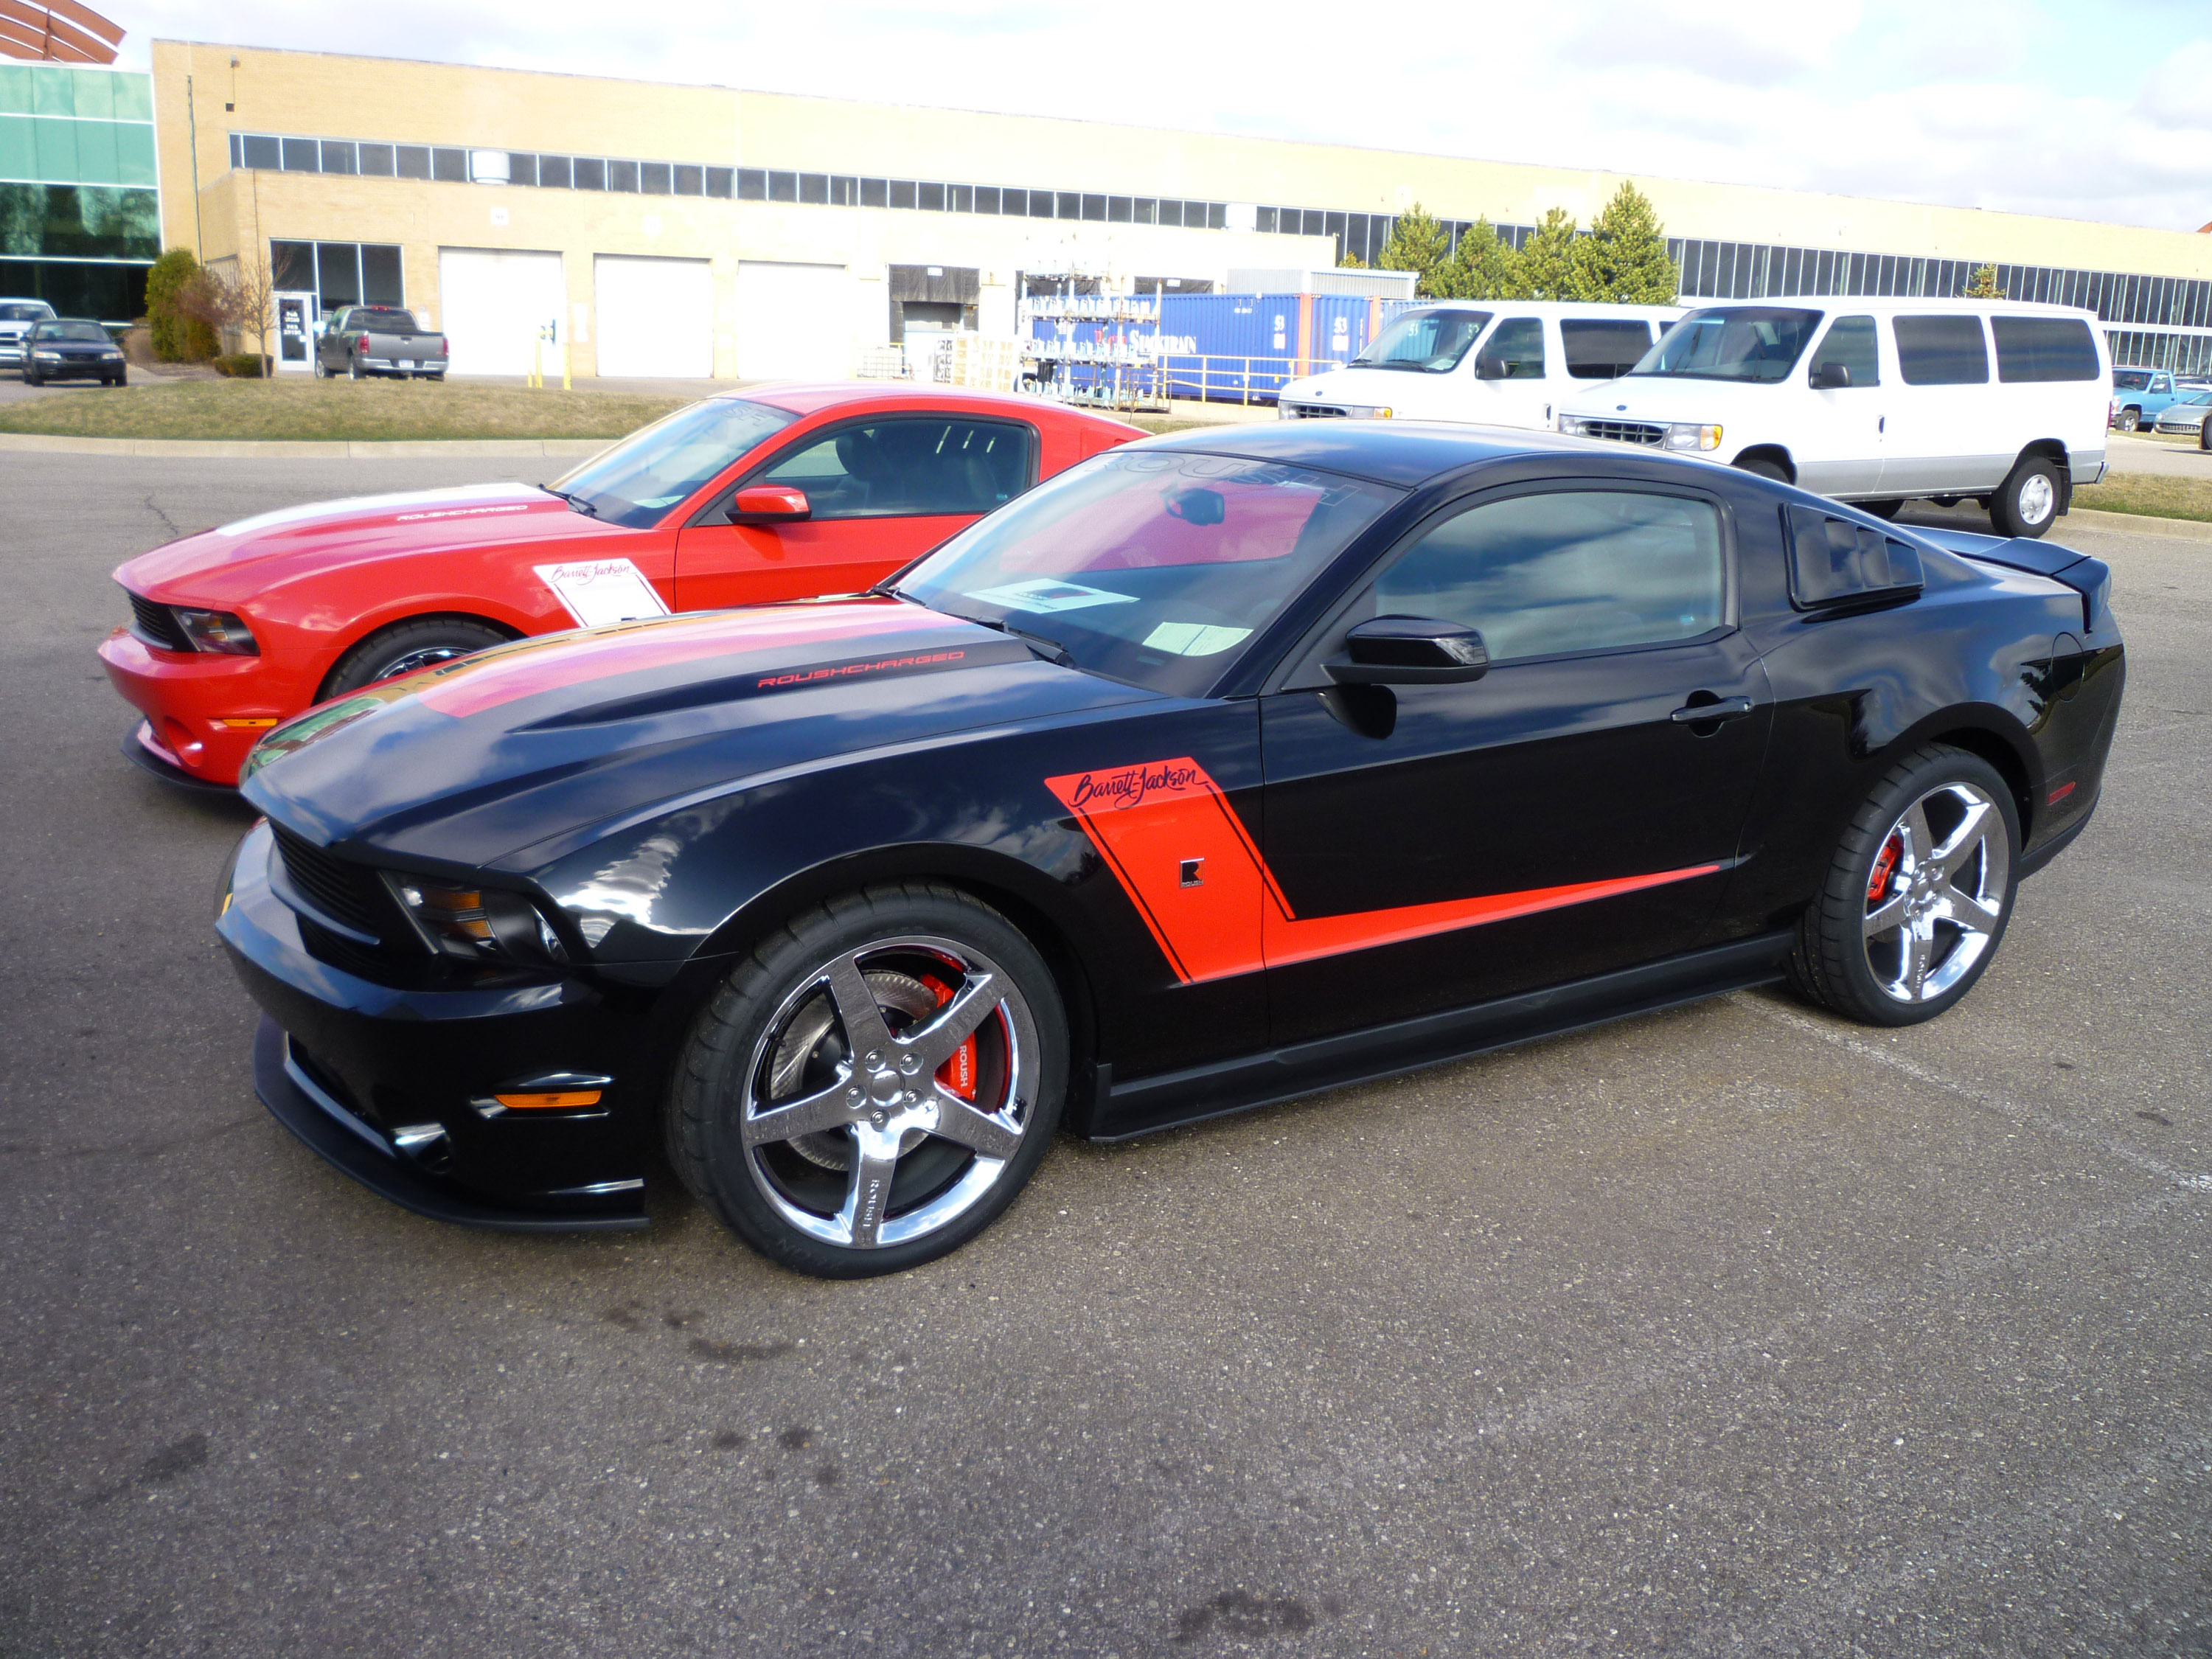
point(1149, 567)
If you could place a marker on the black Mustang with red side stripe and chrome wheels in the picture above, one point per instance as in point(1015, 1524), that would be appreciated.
point(1215, 771)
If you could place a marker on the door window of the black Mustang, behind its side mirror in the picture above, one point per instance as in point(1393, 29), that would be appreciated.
point(1574, 572)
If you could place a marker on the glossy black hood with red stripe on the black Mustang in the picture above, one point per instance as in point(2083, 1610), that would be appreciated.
point(523, 747)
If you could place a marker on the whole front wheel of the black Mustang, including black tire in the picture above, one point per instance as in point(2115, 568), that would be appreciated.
point(775, 1032)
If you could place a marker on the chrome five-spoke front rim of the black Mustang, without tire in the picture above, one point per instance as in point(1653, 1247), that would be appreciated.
point(890, 1092)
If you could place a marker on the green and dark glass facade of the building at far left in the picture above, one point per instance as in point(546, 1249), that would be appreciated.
point(81, 218)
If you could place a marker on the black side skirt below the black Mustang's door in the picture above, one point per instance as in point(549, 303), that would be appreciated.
point(1171, 1100)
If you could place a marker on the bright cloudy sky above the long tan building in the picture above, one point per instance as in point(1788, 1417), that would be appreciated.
point(2083, 112)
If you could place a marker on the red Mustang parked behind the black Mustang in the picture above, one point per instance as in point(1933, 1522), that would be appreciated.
point(775, 494)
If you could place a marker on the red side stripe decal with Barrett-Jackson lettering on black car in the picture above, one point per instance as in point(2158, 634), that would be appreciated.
point(1149, 822)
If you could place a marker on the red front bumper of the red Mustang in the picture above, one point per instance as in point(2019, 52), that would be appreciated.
point(202, 711)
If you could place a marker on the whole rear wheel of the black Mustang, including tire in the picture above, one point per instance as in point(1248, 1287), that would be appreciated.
point(1886, 943)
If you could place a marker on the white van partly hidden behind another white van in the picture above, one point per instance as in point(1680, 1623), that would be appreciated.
point(1494, 362)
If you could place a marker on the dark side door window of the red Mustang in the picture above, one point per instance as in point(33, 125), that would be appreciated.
point(895, 468)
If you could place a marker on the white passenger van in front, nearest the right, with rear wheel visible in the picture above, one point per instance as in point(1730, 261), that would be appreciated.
point(1877, 401)
